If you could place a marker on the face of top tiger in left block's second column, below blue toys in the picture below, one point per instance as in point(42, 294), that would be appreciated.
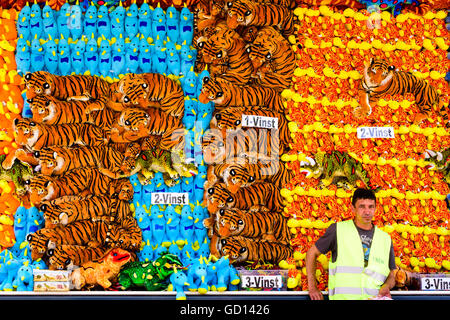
point(135, 89)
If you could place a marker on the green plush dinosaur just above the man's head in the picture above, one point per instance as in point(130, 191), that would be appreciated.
point(335, 168)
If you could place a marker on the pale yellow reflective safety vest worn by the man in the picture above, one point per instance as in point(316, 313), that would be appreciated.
point(348, 279)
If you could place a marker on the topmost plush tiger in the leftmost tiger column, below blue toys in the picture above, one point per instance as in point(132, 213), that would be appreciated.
point(76, 87)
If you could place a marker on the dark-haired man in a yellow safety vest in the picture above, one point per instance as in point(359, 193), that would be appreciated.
point(362, 256)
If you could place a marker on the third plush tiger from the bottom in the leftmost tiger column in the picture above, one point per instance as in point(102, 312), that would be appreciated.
point(90, 208)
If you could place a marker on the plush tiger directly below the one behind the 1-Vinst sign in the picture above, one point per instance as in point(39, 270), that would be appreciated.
point(218, 146)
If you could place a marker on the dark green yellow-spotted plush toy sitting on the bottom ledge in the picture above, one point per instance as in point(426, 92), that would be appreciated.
point(153, 275)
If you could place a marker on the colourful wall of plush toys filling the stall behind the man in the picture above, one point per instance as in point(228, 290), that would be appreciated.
point(156, 145)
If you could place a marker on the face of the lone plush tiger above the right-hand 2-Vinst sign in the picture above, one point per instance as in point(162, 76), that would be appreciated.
point(377, 73)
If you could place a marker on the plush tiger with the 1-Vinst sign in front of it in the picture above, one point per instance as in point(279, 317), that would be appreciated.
point(238, 118)
